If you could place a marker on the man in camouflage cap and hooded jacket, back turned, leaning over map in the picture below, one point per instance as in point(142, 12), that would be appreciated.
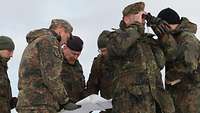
point(41, 89)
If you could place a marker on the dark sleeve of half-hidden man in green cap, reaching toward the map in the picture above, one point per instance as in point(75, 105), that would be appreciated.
point(93, 81)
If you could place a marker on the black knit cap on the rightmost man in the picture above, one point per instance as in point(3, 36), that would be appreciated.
point(169, 15)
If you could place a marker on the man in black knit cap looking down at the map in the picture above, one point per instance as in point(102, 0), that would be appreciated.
point(72, 73)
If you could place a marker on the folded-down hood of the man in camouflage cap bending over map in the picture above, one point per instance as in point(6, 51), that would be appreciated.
point(31, 36)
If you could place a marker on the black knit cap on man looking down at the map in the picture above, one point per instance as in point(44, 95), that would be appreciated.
point(75, 43)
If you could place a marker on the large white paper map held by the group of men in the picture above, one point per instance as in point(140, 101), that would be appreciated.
point(91, 103)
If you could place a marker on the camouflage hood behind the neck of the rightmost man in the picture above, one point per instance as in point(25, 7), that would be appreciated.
point(186, 25)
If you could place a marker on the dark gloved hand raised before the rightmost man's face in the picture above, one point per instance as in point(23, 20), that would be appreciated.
point(158, 25)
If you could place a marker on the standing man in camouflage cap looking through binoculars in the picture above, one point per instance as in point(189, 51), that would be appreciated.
point(137, 59)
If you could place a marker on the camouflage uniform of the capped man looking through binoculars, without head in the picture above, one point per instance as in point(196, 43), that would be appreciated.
point(135, 68)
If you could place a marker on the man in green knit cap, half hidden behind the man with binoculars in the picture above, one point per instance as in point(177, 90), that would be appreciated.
point(101, 75)
